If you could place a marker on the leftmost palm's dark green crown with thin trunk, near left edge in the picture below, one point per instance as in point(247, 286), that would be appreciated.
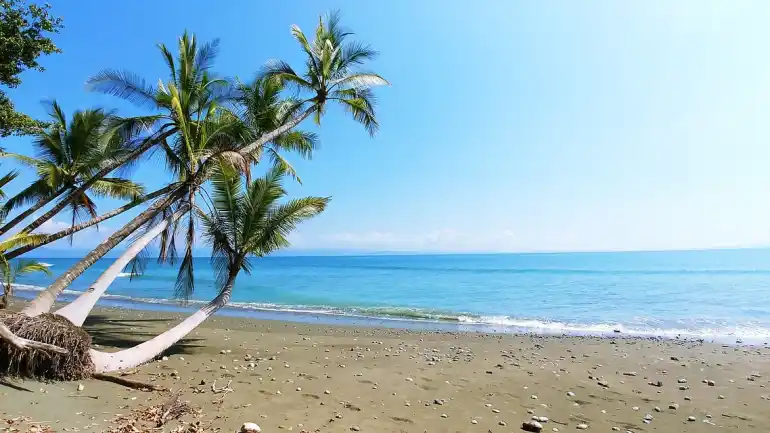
point(69, 155)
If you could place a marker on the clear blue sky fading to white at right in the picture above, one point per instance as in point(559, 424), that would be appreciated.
point(509, 126)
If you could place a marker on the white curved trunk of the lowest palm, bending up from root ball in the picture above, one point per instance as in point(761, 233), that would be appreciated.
point(149, 350)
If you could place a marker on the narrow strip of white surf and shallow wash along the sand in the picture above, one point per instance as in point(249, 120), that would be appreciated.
point(445, 323)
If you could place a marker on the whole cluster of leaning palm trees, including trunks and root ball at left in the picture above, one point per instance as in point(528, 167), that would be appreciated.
point(212, 133)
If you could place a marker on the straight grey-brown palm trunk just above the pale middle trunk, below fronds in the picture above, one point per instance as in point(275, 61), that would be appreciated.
point(47, 298)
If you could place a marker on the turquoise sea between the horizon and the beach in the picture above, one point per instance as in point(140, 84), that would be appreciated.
point(716, 295)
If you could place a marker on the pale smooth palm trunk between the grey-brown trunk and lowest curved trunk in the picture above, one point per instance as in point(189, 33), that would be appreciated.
point(78, 310)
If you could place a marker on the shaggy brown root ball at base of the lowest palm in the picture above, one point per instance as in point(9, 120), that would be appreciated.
point(40, 364)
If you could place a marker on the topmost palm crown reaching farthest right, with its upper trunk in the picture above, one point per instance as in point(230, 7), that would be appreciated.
point(330, 75)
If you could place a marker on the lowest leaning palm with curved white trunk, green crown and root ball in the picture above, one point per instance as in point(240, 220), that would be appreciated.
point(243, 220)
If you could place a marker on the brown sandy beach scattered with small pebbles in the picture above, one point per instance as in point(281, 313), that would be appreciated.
point(304, 378)
